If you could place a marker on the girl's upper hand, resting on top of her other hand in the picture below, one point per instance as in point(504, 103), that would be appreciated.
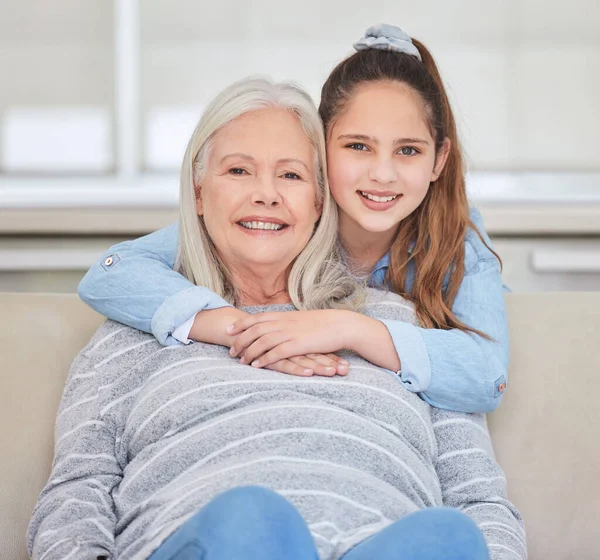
point(264, 339)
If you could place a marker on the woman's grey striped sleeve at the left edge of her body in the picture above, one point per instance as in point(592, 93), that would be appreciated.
point(74, 516)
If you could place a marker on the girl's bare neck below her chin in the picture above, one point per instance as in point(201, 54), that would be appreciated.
point(364, 248)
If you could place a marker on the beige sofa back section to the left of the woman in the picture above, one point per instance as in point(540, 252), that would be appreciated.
point(39, 337)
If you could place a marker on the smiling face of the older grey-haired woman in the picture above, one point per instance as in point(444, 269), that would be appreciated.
point(259, 193)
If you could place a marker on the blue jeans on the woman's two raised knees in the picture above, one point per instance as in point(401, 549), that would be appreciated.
point(252, 522)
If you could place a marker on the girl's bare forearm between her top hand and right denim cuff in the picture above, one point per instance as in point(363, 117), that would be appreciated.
point(370, 339)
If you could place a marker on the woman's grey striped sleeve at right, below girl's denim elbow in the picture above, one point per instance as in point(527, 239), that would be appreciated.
point(473, 482)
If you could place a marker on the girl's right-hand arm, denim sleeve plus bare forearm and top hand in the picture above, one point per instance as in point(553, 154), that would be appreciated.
point(449, 369)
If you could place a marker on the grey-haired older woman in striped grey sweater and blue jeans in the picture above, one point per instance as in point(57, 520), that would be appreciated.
point(184, 452)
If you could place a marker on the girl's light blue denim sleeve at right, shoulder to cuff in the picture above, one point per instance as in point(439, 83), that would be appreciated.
point(453, 369)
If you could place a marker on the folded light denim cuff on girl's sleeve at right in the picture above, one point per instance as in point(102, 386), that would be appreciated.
point(415, 368)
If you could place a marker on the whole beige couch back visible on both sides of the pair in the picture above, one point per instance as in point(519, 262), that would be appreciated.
point(546, 432)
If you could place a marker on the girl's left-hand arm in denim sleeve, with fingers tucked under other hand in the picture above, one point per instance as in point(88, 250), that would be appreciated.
point(134, 283)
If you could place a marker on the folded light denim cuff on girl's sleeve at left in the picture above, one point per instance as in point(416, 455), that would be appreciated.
point(177, 309)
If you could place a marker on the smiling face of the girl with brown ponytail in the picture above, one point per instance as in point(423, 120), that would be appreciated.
point(381, 157)
